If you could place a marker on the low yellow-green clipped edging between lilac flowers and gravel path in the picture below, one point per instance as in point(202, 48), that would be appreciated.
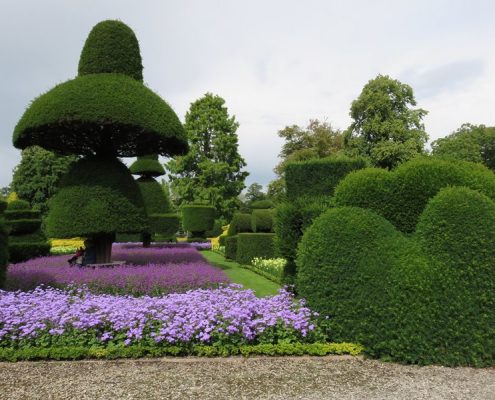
point(138, 351)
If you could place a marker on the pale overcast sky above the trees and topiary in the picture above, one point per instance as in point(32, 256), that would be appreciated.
point(275, 63)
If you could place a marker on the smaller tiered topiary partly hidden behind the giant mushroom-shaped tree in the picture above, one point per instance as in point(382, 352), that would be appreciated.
point(157, 205)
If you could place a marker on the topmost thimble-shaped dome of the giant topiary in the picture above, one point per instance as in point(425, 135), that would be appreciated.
point(111, 47)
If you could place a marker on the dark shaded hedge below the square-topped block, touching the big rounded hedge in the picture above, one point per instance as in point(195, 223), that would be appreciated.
point(290, 221)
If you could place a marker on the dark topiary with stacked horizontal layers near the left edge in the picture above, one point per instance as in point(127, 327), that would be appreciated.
point(26, 238)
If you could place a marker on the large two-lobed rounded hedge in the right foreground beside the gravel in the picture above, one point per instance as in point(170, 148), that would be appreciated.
point(426, 298)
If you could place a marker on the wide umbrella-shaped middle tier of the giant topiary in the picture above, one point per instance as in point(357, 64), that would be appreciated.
point(104, 114)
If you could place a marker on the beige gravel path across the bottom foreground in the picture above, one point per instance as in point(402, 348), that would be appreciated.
point(333, 377)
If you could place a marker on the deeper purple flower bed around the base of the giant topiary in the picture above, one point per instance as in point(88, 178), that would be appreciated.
point(152, 271)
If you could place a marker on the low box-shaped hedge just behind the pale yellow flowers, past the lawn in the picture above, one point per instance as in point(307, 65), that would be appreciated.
point(250, 245)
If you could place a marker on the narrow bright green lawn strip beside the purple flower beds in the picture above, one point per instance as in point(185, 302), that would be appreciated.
point(250, 280)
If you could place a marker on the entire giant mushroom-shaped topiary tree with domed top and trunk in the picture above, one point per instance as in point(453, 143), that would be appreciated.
point(104, 113)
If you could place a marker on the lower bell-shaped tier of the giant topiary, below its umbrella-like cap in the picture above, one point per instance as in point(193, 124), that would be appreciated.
point(97, 196)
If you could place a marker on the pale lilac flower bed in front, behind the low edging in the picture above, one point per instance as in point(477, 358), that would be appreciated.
point(199, 316)
